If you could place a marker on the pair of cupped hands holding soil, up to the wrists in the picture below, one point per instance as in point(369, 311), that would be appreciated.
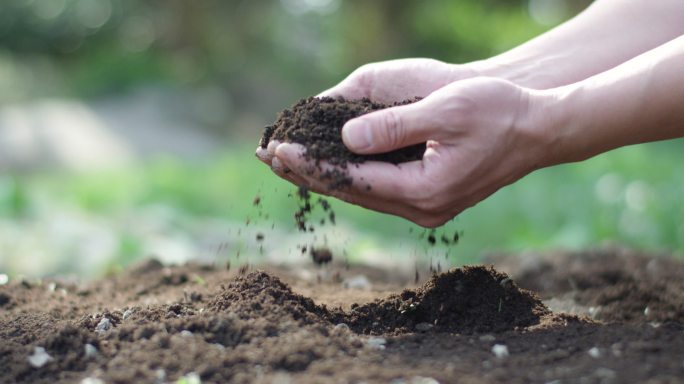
point(481, 135)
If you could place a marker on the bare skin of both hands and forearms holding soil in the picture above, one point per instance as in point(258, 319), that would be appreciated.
point(490, 123)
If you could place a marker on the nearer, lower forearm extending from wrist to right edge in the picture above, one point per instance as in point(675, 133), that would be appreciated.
point(639, 101)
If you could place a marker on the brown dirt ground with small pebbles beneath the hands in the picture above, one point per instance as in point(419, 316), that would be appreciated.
point(602, 316)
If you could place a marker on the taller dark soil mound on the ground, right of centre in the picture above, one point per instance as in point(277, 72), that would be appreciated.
point(468, 300)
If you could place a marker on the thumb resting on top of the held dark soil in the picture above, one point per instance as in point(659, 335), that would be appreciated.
point(386, 130)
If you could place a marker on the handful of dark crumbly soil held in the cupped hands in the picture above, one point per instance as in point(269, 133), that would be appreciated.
point(317, 123)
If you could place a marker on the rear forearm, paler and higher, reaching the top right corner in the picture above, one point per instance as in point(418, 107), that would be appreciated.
point(605, 35)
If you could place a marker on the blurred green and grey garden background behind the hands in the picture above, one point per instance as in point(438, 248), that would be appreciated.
point(127, 130)
